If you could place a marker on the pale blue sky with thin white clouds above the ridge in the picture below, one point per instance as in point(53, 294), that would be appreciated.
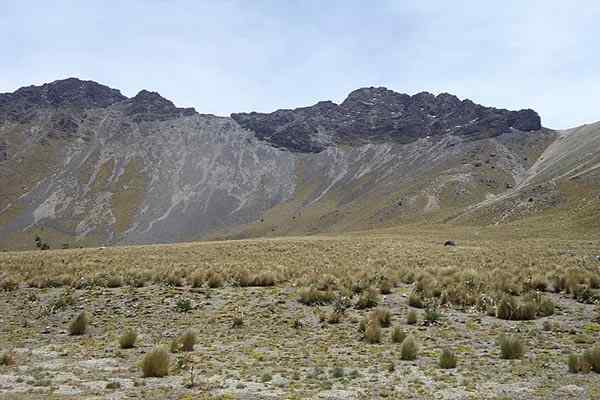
point(226, 56)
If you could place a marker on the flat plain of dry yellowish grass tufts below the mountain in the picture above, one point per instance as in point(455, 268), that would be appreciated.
point(388, 314)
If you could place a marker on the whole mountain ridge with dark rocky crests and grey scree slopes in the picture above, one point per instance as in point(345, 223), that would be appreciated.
point(81, 164)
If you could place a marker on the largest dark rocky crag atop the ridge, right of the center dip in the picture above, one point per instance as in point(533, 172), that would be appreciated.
point(380, 114)
